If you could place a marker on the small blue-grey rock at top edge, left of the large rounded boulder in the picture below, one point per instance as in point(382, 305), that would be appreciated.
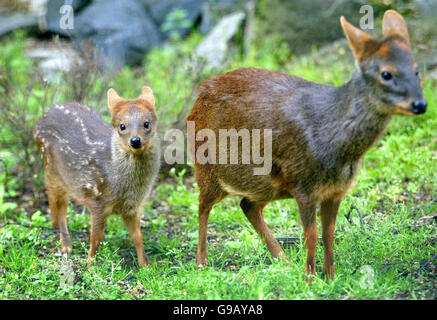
point(53, 14)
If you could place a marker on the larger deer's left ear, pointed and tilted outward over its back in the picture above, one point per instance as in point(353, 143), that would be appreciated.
point(358, 40)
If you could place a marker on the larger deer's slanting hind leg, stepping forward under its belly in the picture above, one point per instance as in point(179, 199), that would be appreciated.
point(254, 213)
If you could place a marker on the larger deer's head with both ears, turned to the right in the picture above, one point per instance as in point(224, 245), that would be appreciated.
point(387, 66)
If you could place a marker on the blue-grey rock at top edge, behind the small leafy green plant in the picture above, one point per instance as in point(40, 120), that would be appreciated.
point(160, 9)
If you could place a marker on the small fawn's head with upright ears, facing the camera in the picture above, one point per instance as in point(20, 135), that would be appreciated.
point(134, 120)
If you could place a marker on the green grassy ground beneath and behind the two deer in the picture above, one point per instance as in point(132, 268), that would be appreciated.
point(390, 256)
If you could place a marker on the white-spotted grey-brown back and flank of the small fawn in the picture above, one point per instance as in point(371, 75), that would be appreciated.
point(75, 143)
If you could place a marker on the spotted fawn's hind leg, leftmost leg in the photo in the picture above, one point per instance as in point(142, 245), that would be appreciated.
point(58, 203)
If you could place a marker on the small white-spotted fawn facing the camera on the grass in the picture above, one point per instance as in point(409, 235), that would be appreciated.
point(108, 169)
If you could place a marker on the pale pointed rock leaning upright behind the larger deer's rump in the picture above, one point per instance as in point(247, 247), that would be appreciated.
point(214, 47)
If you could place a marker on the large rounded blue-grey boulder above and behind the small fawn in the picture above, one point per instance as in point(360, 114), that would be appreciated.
point(121, 29)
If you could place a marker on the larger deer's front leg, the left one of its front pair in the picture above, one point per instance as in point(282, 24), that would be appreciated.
point(307, 211)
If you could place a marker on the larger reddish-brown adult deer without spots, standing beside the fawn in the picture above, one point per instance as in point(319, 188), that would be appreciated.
point(320, 134)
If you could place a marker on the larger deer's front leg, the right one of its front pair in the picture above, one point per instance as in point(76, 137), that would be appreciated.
point(328, 213)
